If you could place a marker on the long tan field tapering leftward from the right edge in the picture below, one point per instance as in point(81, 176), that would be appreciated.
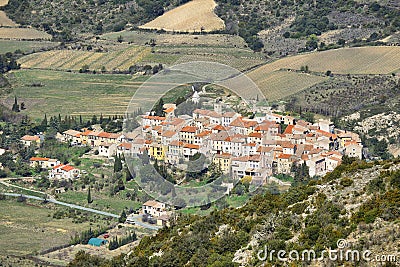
point(360, 60)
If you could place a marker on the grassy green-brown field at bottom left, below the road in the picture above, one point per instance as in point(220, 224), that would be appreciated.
point(29, 227)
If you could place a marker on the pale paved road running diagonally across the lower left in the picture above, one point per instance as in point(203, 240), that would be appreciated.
point(73, 206)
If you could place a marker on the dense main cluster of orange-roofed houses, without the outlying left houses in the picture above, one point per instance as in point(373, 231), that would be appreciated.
point(259, 147)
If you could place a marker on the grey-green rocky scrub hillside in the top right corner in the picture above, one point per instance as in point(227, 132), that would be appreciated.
point(290, 24)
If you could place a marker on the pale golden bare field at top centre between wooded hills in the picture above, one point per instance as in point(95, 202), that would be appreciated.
point(196, 15)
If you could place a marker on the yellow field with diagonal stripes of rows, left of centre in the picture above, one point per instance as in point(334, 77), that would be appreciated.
point(75, 60)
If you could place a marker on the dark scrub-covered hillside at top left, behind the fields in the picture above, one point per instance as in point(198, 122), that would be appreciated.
point(65, 19)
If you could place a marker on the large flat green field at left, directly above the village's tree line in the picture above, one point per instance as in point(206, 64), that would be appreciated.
point(71, 93)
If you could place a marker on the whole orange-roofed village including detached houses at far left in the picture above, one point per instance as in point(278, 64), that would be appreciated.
point(265, 145)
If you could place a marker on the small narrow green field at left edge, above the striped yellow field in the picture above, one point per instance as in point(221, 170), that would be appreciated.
point(24, 46)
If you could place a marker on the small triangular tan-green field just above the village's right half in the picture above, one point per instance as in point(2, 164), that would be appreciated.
point(279, 84)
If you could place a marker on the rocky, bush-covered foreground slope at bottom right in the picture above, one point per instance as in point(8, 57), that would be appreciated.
point(358, 202)
